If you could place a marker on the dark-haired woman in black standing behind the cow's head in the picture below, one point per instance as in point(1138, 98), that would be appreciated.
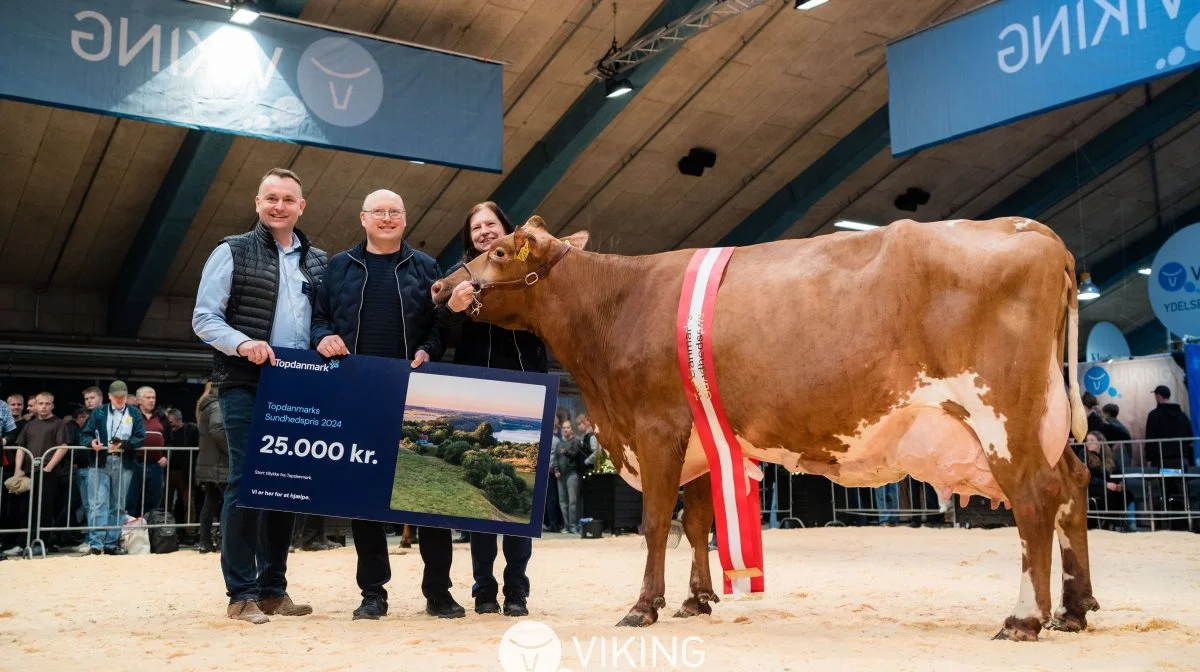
point(478, 344)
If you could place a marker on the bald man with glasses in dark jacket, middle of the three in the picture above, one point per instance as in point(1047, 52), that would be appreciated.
point(376, 302)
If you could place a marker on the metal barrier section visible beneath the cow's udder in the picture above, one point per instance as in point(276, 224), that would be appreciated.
point(907, 501)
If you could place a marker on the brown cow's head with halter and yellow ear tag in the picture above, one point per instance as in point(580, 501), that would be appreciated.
point(503, 279)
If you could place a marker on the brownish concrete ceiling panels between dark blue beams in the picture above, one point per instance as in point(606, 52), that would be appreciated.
point(770, 92)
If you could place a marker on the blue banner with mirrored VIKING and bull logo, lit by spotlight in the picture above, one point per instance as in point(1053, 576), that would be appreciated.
point(185, 64)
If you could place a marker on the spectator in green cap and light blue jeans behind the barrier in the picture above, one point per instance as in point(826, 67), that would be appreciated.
point(113, 433)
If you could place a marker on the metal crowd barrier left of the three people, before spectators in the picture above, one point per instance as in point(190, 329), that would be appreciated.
point(141, 488)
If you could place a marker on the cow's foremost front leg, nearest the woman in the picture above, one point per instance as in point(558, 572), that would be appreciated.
point(661, 469)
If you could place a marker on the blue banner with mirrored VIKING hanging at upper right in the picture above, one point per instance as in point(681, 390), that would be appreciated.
point(1017, 58)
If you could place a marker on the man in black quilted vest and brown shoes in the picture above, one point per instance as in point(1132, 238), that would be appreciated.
point(257, 292)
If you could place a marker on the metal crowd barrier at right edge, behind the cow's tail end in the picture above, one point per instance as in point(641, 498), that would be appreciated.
point(1143, 485)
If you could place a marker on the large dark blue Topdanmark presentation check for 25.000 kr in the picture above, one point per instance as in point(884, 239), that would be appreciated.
point(364, 437)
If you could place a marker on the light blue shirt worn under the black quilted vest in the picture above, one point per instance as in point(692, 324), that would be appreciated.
point(293, 313)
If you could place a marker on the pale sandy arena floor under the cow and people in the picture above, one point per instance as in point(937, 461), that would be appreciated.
point(838, 599)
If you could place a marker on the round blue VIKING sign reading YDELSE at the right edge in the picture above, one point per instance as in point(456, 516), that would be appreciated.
point(1175, 283)
